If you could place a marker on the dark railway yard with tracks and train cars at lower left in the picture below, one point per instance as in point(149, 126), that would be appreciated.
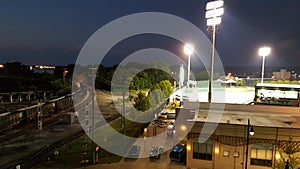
point(22, 143)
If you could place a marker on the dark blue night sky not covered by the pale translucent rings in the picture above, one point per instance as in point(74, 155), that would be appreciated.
point(52, 32)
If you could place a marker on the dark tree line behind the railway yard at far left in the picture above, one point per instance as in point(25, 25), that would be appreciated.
point(17, 77)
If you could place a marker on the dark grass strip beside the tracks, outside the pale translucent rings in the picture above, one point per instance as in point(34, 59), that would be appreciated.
point(73, 154)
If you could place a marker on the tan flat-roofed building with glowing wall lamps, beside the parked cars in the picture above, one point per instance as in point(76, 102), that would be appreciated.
point(276, 129)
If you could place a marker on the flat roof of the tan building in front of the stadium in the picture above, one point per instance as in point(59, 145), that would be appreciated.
point(259, 115)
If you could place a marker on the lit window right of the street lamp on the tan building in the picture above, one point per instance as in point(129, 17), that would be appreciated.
point(261, 154)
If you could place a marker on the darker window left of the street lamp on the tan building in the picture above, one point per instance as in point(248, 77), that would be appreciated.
point(202, 151)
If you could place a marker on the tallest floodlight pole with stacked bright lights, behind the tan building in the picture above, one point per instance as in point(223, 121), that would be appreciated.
point(213, 16)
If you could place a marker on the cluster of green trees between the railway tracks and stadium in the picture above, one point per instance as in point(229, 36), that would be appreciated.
point(150, 83)
